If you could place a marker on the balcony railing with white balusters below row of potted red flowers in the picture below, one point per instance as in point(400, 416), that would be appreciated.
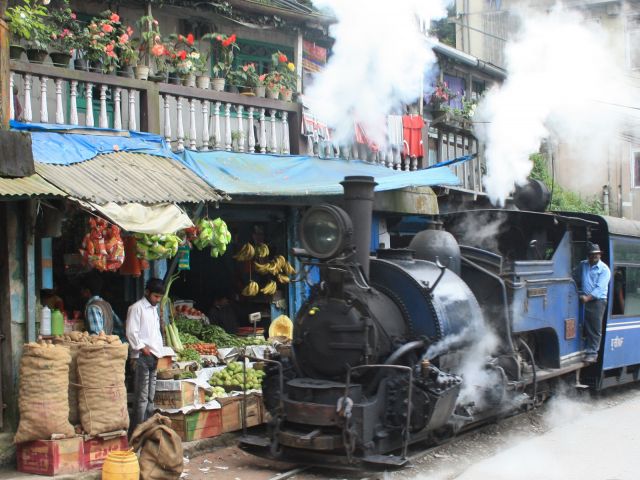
point(186, 117)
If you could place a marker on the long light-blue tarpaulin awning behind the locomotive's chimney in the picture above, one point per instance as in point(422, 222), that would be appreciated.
point(276, 175)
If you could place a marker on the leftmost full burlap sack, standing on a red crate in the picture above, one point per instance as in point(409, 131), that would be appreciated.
point(43, 402)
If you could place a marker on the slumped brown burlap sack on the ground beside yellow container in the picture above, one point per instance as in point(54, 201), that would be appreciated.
point(160, 449)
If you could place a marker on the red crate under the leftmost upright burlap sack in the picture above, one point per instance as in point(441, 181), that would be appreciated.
point(50, 457)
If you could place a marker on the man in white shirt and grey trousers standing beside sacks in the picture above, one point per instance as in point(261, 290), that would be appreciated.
point(145, 342)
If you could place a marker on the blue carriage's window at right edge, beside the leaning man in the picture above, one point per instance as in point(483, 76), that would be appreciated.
point(626, 277)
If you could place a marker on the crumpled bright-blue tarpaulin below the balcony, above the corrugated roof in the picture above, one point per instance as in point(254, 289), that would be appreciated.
point(59, 145)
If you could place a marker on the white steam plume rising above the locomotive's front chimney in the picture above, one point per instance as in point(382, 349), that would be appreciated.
point(379, 60)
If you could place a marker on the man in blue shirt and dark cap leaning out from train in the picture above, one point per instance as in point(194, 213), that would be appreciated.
point(594, 276)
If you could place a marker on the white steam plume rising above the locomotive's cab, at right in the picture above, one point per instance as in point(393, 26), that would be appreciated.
point(564, 78)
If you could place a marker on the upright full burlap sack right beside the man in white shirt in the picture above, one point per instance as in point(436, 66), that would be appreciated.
point(102, 396)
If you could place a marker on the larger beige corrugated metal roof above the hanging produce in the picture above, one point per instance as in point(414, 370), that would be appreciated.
point(124, 177)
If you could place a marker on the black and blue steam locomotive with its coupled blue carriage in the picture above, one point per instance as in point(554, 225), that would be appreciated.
point(479, 317)
